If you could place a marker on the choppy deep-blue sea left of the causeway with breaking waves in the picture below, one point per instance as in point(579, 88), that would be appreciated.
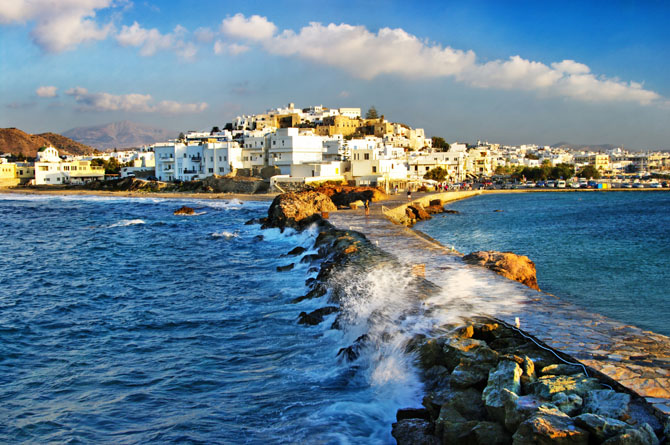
point(123, 323)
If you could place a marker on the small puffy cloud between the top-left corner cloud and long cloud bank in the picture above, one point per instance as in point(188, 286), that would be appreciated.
point(151, 40)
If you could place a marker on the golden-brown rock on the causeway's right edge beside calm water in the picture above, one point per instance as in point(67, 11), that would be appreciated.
point(509, 265)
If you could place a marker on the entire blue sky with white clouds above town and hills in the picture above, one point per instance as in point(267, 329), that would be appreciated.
point(508, 72)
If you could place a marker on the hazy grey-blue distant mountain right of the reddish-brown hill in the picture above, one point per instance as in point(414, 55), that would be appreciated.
point(118, 135)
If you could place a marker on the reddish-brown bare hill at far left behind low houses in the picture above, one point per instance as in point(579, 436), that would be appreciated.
point(15, 141)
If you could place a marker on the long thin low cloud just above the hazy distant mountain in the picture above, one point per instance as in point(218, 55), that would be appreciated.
point(137, 103)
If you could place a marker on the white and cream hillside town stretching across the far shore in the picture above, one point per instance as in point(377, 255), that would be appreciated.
point(291, 146)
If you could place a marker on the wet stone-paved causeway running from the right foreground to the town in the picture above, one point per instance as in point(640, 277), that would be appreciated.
point(637, 359)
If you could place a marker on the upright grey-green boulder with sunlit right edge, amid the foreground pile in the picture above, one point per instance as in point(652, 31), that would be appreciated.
point(505, 378)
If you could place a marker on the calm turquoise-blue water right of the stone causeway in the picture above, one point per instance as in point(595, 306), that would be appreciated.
point(608, 252)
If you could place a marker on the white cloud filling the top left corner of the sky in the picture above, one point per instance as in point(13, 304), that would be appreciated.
point(58, 25)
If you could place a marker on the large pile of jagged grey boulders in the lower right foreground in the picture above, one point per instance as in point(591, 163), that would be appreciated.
point(488, 383)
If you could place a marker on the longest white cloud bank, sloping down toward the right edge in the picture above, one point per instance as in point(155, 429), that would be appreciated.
point(367, 54)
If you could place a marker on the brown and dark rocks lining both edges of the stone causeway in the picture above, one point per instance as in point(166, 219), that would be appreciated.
point(487, 382)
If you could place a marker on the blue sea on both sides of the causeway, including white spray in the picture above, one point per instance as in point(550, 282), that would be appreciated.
point(123, 323)
